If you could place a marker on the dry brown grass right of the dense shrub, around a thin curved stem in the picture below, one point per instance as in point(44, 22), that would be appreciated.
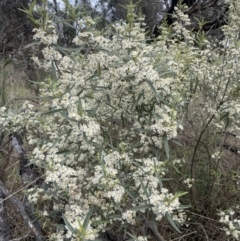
point(216, 179)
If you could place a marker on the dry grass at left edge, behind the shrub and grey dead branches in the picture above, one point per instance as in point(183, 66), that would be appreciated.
point(14, 83)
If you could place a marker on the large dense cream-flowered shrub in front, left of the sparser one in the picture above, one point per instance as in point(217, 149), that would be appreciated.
point(102, 119)
